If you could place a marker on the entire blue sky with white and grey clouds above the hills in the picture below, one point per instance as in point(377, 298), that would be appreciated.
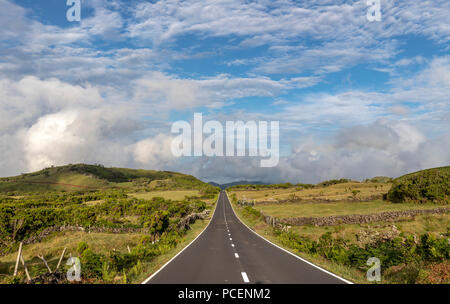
point(354, 98)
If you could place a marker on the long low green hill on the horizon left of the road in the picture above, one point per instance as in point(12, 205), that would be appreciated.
point(84, 176)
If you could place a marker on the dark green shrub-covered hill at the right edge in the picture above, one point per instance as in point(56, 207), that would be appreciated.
point(431, 185)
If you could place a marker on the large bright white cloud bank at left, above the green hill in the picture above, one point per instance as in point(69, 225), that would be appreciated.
point(48, 122)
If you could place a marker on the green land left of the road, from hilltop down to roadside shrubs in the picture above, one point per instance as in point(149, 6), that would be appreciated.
point(119, 234)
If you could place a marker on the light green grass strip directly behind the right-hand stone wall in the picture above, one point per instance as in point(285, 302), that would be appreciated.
point(338, 208)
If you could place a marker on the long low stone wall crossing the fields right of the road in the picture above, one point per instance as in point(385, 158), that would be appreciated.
point(350, 219)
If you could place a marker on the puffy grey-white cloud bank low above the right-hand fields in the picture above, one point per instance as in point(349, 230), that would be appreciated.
point(384, 147)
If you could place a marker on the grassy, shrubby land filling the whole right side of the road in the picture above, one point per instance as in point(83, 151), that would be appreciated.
point(411, 249)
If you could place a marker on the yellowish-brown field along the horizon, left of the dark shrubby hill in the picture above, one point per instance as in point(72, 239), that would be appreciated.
point(334, 192)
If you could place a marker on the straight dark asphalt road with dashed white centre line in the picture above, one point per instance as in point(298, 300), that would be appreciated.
point(229, 252)
